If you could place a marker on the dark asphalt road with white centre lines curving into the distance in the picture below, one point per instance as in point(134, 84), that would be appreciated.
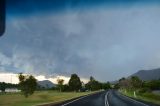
point(105, 98)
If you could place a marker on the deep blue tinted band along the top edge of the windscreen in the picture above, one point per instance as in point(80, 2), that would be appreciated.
point(28, 7)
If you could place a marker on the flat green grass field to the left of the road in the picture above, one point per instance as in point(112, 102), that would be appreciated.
point(39, 97)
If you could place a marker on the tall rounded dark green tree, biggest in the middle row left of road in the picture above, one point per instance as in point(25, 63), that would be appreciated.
point(75, 83)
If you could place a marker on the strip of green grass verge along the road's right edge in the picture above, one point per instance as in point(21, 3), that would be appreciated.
point(148, 96)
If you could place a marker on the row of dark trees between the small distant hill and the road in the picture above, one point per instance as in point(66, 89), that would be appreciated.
point(75, 84)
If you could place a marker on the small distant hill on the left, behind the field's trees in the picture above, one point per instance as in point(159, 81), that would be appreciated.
point(46, 84)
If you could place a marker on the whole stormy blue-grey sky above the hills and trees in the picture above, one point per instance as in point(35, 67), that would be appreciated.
point(107, 40)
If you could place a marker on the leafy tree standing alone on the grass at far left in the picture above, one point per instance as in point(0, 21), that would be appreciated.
point(27, 84)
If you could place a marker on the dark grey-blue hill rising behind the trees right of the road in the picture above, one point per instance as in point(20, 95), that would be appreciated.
point(148, 74)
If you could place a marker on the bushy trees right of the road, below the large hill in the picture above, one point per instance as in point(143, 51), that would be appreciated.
point(135, 83)
